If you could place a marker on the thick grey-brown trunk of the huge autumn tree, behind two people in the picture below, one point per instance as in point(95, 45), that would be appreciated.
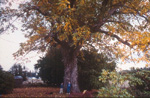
point(70, 72)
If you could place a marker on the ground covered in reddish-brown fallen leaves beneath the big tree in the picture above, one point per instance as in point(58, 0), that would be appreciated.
point(43, 92)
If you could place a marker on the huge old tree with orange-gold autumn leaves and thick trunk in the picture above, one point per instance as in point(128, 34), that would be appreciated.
point(70, 24)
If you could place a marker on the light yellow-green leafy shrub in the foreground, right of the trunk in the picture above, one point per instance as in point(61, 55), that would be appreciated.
point(112, 90)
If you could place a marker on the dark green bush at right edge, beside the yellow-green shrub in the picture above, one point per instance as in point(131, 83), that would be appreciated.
point(140, 83)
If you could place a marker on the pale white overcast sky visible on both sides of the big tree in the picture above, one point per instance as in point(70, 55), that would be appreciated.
point(10, 43)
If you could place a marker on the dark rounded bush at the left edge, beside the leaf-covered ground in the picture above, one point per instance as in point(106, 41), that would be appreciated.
point(6, 82)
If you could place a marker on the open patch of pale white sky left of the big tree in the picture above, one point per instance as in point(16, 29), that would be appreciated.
point(9, 44)
